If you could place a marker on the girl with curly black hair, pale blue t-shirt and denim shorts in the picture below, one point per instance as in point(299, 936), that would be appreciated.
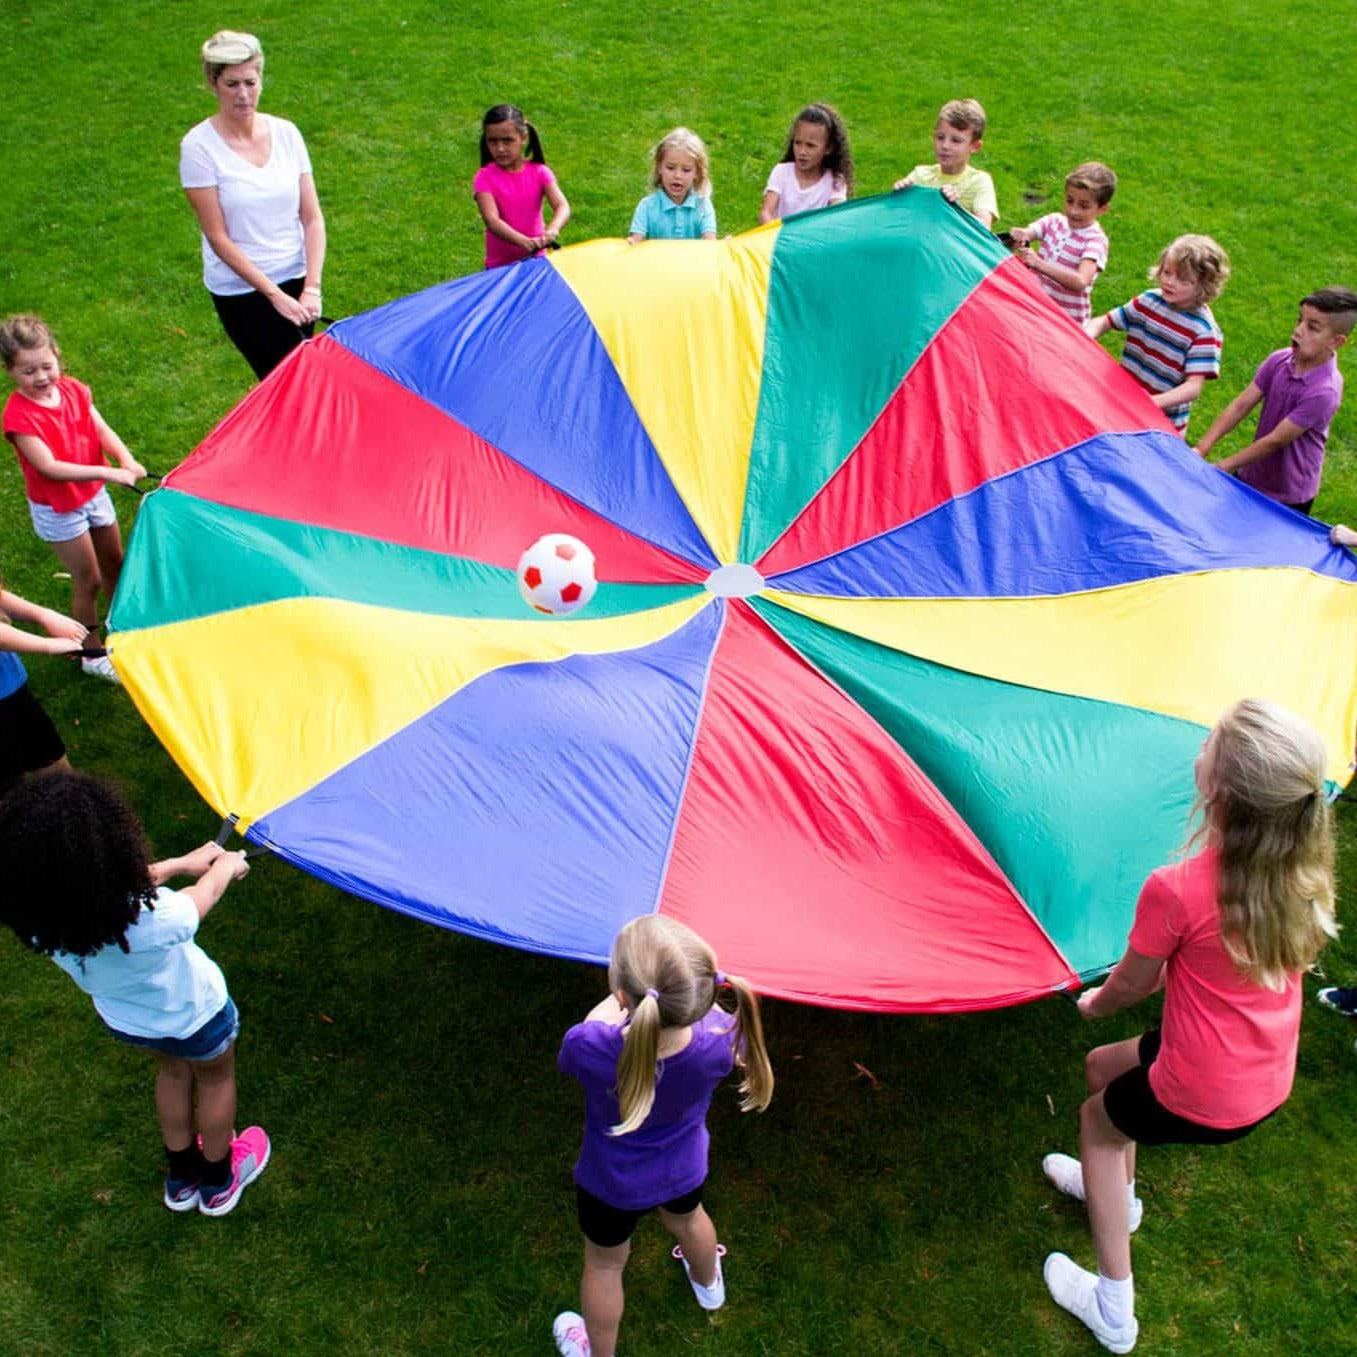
point(79, 887)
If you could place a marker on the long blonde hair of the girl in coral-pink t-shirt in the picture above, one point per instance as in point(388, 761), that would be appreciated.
point(1261, 792)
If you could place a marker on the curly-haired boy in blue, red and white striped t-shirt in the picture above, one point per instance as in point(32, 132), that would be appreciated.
point(1173, 341)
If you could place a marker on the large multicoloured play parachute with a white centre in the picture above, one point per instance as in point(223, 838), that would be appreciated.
point(913, 611)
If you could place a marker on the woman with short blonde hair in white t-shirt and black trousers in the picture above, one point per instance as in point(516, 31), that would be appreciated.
point(249, 180)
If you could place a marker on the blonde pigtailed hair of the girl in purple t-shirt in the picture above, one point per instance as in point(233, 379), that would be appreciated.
point(671, 980)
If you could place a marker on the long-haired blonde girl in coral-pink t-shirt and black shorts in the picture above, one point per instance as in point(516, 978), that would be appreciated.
point(1227, 933)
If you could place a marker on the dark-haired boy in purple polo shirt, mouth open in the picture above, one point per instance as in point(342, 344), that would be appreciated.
point(1301, 389)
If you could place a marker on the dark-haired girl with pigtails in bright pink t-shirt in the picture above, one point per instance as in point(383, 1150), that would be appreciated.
point(510, 189)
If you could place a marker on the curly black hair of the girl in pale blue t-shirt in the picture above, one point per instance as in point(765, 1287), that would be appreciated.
point(77, 865)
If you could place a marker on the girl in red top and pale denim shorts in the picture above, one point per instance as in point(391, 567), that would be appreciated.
point(64, 446)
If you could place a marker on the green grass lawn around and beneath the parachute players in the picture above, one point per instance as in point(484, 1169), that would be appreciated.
point(420, 1196)
